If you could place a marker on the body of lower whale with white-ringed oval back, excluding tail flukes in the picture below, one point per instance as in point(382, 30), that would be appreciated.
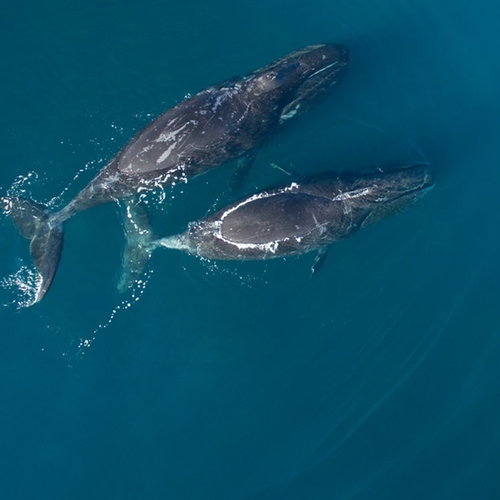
point(300, 217)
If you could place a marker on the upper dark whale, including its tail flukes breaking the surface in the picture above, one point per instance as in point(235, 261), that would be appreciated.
point(219, 123)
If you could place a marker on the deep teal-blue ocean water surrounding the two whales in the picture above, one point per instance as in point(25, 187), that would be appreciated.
point(377, 379)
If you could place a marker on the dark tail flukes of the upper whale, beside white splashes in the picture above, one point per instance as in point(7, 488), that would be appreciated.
point(46, 234)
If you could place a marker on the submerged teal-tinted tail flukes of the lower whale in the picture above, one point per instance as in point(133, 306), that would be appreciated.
point(138, 250)
